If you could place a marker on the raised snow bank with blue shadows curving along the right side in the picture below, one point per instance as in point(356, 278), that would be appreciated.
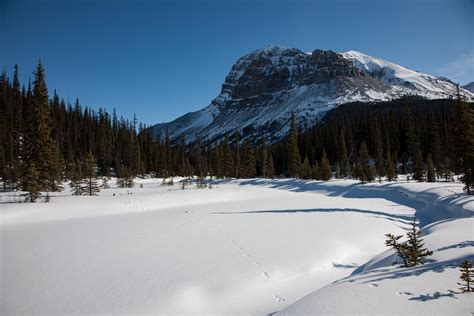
point(379, 287)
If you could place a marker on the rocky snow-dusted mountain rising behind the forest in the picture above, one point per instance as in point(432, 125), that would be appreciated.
point(265, 86)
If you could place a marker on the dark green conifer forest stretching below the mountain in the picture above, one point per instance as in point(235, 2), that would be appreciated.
point(46, 141)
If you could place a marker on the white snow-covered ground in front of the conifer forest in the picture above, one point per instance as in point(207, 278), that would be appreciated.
point(244, 247)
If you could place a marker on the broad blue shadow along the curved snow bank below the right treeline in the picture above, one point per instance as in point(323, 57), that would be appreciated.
point(429, 208)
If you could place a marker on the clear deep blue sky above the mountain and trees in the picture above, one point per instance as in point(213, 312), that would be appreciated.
point(162, 59)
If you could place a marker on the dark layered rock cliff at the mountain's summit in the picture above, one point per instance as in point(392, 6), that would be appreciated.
point(276, 69)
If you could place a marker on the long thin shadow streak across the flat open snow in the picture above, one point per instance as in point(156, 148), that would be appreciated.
point(404, 219)
